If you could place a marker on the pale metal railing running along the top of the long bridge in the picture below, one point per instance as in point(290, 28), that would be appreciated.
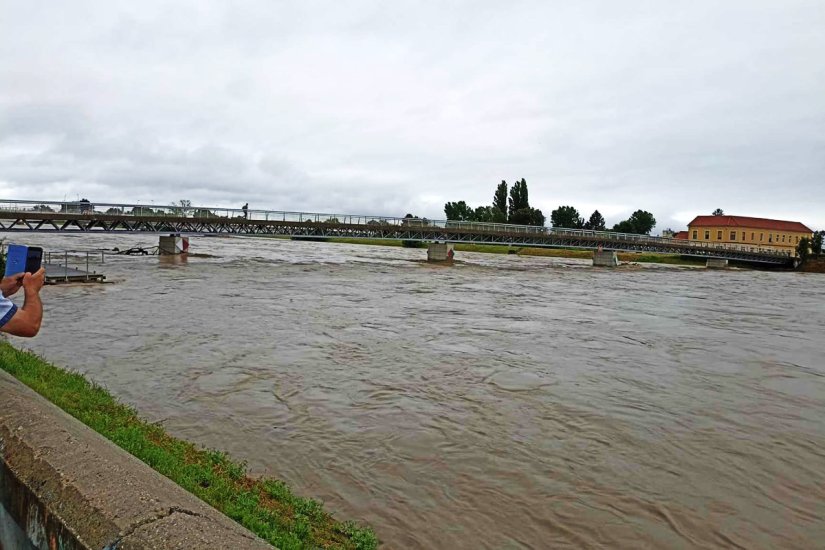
point(85, 207)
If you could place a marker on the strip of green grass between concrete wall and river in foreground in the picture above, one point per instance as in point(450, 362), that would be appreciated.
point(266, 507)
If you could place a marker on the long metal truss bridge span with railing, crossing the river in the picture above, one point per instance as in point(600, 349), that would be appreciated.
point(86, 217)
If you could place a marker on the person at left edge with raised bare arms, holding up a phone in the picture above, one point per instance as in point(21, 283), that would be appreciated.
point(24, 321)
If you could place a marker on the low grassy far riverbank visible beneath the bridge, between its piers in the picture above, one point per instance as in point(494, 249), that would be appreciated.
point(647, 257)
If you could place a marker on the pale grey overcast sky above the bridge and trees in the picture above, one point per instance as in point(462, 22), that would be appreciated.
point(393, 107)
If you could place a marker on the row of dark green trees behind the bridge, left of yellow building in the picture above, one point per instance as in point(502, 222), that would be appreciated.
point(513, 206)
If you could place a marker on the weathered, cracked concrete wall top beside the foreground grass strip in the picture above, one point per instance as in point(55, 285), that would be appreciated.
point(68, 487)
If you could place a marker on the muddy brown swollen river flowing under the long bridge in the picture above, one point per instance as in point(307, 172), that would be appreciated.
point(506, 402)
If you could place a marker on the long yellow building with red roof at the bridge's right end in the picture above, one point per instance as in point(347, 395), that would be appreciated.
point(746, 233)
